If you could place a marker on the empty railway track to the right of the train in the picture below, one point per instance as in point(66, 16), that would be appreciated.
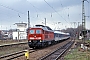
point(55, 55)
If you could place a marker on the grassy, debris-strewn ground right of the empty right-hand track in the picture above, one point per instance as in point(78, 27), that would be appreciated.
point(78, 53)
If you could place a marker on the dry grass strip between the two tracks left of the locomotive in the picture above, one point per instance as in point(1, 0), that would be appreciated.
point(8, 50)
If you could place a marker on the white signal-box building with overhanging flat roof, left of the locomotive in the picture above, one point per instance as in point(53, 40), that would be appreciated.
point(20, 34)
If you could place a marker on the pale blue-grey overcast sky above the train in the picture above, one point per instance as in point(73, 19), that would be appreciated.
point(64, 11)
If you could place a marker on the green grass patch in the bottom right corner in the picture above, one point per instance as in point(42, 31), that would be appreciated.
point(75, 54)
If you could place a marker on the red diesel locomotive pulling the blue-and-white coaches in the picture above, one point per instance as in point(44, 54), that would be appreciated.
point(40, 36)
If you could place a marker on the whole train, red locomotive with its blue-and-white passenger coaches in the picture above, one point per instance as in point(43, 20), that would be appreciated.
point(40, 36)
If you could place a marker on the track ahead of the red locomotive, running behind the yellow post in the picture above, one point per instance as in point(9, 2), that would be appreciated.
point(15, 55)
